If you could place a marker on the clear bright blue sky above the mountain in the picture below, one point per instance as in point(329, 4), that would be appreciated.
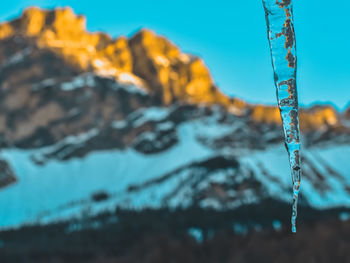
point(231, 38)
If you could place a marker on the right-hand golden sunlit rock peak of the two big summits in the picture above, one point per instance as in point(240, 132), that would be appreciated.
point(173, 75)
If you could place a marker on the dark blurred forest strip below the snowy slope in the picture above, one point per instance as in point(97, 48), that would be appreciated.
point(163, 236)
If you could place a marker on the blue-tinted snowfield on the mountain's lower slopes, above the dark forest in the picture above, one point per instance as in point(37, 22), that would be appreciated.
point(194, 170)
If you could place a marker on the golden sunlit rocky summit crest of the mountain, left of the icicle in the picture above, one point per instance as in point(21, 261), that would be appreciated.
point(145, 59)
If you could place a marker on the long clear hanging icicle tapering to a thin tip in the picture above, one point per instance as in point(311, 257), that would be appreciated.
point(281, 36)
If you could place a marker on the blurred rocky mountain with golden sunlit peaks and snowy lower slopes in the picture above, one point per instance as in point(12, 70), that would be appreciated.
point(88, 123)
